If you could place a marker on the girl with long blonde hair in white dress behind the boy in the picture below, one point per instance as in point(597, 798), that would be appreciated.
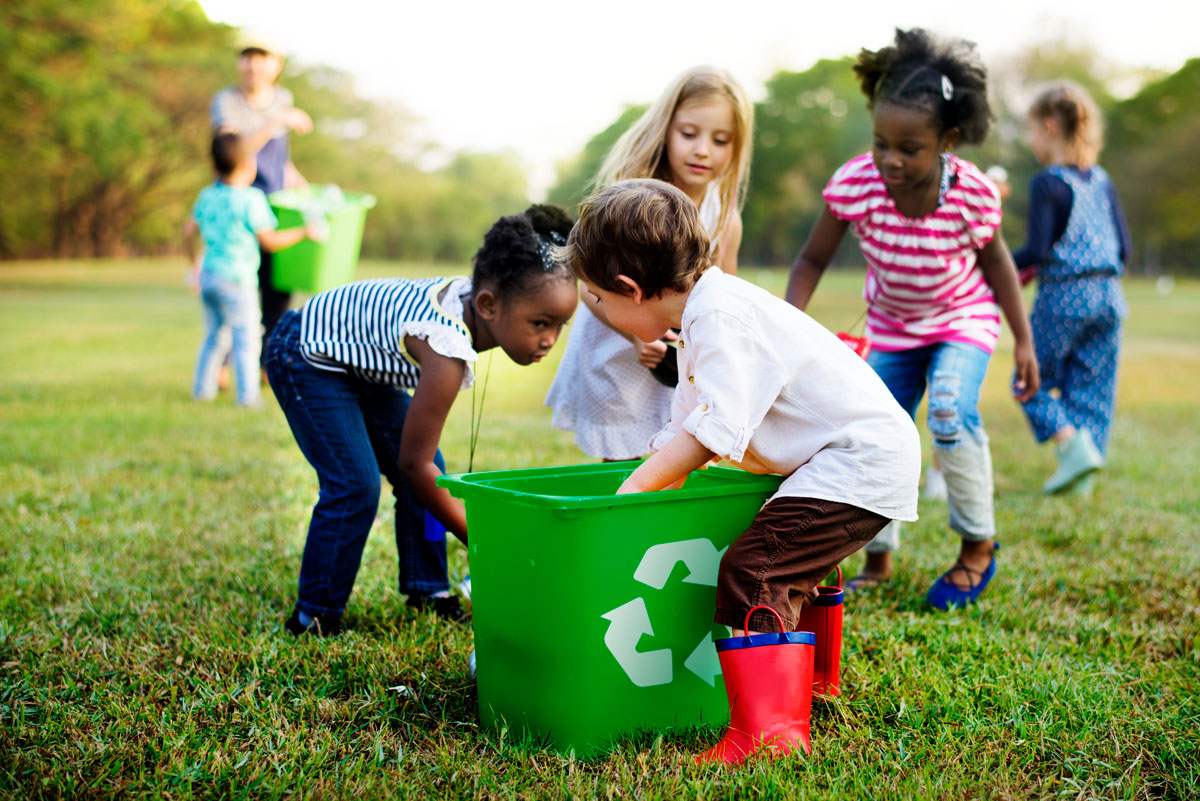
point(698, 137)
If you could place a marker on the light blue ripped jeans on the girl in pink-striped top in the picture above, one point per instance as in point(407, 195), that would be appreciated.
point(953, 372)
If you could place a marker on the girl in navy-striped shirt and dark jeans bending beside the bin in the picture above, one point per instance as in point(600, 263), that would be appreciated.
point(367, 375)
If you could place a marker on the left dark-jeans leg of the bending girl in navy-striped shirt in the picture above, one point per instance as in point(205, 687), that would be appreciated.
point(323, 411)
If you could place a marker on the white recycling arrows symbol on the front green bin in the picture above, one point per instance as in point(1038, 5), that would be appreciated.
point(631, 622)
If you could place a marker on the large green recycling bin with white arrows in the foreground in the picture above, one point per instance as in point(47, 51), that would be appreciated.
point(593, 613)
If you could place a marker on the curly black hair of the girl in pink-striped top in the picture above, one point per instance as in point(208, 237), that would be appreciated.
point(920, 71)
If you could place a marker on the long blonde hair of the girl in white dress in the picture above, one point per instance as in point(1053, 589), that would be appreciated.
point(643, 150)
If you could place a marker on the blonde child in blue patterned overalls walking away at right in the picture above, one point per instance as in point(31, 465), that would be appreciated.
point(1077, 246)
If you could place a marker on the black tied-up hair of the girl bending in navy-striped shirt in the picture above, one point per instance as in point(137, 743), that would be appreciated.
point(517, 256)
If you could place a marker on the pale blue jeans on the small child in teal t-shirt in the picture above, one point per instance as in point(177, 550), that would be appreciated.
point(229, 305)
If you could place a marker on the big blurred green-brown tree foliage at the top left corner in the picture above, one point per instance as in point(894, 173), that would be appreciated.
point(104, 121)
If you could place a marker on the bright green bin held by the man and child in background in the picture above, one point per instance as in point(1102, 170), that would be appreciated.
point(316, 267)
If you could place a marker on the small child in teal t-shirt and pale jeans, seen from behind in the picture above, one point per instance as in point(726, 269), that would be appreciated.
point(235, 221)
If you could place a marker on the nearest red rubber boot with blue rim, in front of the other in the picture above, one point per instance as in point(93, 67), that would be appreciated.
point(769, 679)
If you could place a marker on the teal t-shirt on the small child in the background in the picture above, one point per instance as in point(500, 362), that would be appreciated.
point(230, 220)
